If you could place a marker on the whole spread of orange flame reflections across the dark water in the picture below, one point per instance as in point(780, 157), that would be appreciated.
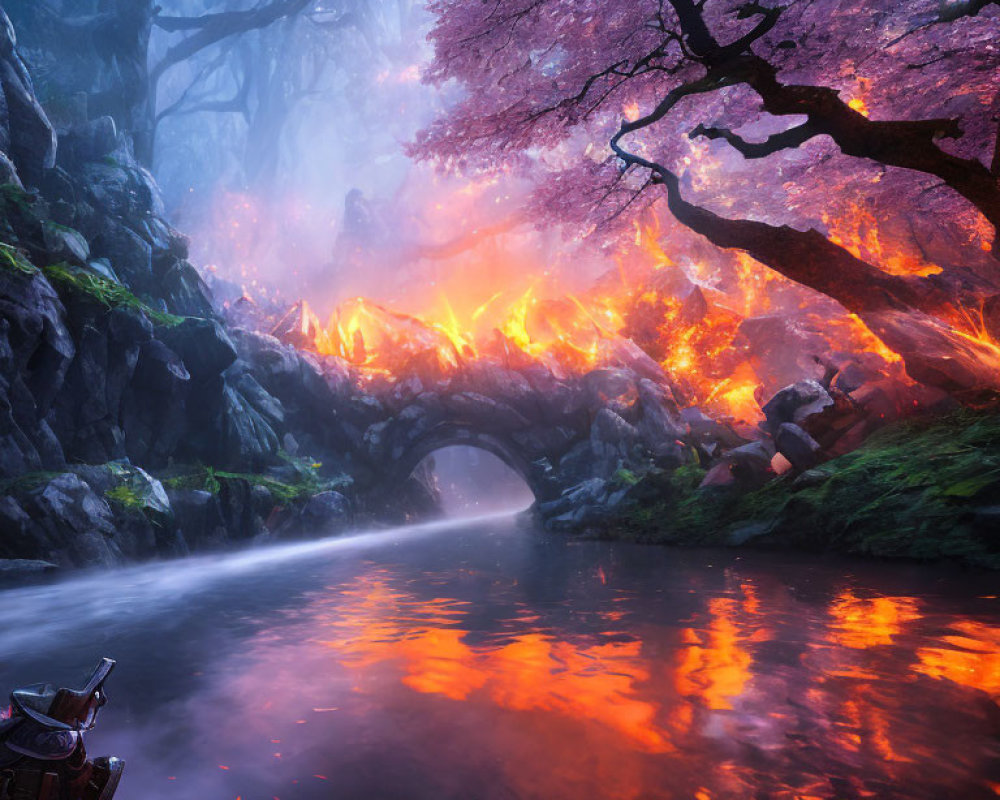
point(849, 717)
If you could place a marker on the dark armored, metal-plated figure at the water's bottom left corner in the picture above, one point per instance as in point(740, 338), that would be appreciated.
point(42, 756)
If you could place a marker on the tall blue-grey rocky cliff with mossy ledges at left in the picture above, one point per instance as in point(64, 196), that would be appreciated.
point(114, 364)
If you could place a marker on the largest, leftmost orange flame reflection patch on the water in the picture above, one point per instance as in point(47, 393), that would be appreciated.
point(534, 671)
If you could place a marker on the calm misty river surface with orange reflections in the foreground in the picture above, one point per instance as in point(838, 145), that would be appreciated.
point(475, 660)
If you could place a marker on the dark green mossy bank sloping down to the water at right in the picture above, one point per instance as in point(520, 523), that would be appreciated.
point(922, 489)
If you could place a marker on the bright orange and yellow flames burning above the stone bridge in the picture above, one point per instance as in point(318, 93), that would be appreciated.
point(687, 317)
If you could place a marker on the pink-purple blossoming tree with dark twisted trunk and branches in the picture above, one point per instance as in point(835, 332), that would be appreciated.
point(752, 120)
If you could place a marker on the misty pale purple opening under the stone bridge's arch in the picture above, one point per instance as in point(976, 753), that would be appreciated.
point(470, 480)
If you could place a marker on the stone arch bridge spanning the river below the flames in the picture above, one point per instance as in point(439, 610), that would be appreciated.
point(567, 437)
